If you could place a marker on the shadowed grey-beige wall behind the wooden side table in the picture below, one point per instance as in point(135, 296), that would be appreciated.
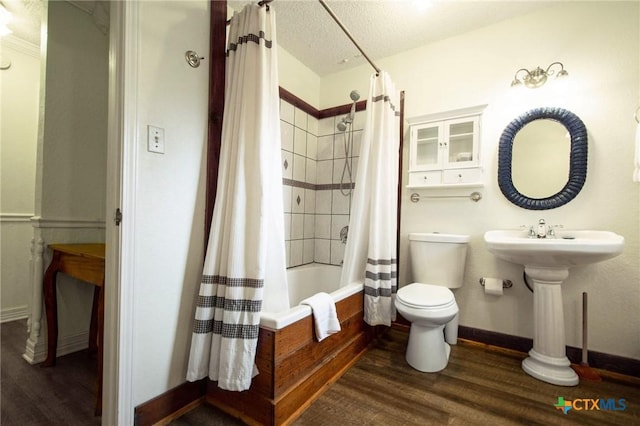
point(70, 188)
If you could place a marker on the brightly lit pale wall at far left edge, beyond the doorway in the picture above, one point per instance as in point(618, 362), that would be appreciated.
point(19, 86)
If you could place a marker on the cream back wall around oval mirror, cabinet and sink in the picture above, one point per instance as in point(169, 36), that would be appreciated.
point(599, 44)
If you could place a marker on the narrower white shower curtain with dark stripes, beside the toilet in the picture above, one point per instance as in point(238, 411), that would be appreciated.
point(370, 254)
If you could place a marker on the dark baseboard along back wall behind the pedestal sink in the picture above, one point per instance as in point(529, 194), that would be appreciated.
point(614, 363)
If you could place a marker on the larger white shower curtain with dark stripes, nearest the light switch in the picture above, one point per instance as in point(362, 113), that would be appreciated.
point(244, 269)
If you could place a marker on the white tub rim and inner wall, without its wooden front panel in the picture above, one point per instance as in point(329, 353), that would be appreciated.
point(305, 281)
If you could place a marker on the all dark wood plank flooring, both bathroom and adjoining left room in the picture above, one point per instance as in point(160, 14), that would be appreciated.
point(480, 386)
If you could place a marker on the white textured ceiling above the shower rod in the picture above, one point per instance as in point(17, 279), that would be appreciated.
point(381, 27)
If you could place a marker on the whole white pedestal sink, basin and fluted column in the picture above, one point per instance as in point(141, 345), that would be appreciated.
point(546, 262)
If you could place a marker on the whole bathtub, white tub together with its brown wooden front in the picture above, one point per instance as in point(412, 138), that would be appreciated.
point(293, 365)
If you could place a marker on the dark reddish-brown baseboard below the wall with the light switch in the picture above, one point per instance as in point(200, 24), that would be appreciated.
point(165, 407)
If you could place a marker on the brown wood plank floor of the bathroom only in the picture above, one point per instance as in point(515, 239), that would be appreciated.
point(480, 386)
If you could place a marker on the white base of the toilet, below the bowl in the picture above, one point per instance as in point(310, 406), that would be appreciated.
point(427, 350)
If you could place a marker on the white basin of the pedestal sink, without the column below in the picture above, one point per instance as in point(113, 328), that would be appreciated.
point(568, 248)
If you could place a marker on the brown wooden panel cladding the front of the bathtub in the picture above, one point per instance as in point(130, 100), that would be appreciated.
point(295, 368)
